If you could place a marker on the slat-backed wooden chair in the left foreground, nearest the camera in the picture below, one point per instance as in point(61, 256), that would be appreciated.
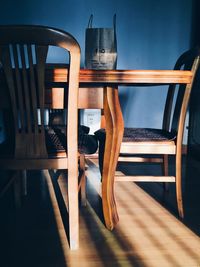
point(23, 54)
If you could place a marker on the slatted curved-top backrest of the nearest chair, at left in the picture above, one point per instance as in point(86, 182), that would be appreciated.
point(23, 54)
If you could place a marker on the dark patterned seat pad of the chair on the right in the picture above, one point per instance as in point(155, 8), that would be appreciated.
point(146, 134)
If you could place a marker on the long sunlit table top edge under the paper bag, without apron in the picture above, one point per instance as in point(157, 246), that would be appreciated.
point(122, 77)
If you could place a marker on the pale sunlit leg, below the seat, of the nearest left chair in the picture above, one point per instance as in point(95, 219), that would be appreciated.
point(73, 205)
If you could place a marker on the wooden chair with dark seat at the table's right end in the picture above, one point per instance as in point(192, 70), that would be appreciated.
point(140, 144)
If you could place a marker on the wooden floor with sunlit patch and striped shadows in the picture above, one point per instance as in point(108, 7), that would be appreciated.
point(148, 234)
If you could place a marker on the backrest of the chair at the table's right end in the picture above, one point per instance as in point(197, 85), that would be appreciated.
point(178, 95)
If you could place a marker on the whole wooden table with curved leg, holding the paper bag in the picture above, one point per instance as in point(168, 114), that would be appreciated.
point(99, 89)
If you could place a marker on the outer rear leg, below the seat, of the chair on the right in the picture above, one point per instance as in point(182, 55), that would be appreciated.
point(179, 184)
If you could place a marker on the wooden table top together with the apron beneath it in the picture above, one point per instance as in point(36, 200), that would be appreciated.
point(93, 98)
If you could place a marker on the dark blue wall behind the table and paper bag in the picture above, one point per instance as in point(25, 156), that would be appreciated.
point(151, 34)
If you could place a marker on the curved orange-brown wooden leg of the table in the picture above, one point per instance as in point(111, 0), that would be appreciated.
point(114, 135)
